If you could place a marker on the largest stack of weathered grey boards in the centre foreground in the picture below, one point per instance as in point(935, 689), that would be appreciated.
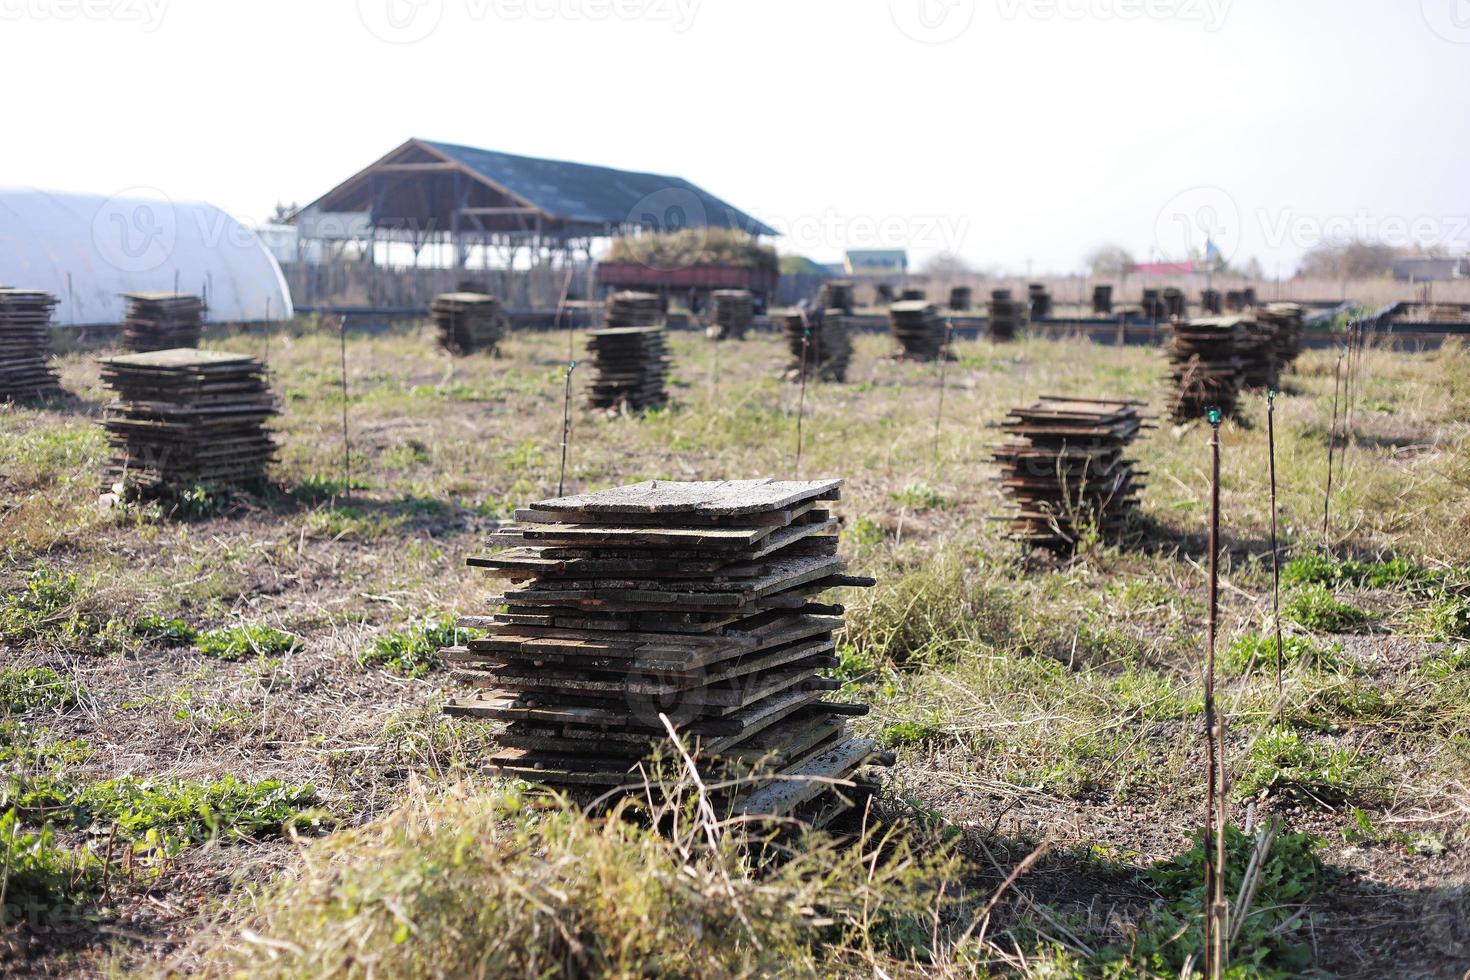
point(692, 603)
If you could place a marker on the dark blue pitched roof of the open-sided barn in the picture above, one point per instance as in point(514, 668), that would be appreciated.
point(427, 186)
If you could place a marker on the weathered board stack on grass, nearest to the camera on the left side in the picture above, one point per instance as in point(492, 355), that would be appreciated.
point(187, 418)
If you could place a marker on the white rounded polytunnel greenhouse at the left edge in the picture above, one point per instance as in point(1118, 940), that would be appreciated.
point(89, 251)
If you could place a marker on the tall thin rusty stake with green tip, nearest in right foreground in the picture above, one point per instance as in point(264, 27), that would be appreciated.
point(1213, 843)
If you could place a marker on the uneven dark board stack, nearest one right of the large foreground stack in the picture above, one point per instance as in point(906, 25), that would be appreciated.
point(1065, 471)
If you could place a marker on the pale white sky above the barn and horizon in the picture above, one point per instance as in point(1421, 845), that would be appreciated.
point(1009, 131)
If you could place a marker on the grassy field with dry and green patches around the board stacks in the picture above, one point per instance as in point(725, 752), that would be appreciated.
point(223, 750)
